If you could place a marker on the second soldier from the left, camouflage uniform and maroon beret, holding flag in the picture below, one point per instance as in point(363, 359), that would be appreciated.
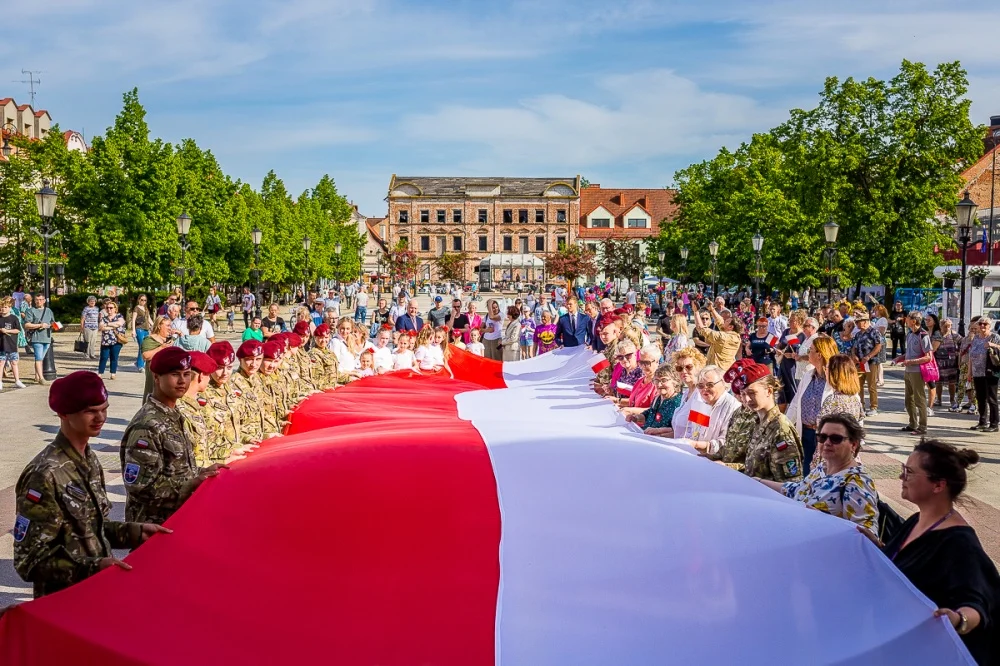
point(157, 458)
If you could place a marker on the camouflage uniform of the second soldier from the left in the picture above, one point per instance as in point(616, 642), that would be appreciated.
point(157, 463)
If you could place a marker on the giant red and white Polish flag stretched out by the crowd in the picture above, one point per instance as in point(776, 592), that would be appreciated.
point(488, 515)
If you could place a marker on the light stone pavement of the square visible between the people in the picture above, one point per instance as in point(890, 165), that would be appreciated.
point(29, 425)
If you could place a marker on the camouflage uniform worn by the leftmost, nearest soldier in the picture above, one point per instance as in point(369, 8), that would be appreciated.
point(62, 529)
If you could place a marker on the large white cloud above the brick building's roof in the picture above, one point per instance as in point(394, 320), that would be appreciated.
point(638, 116)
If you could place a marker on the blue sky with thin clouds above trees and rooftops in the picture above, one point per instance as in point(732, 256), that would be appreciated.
point(624, 93)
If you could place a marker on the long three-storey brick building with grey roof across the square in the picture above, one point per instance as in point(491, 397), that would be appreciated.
point(502, 221)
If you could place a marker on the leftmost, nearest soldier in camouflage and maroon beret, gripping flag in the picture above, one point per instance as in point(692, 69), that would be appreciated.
point(62, 533)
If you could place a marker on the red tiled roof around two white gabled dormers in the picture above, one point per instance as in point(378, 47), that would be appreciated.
point(659, 203)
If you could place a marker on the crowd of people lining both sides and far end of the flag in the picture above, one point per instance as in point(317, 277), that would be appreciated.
point(779, 398)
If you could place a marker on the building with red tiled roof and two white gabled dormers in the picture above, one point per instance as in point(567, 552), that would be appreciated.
point(624, 213)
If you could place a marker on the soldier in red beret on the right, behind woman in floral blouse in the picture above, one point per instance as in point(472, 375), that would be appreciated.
point(774, 451)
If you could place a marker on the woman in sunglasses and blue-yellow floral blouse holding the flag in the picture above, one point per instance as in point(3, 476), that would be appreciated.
point(838, 485)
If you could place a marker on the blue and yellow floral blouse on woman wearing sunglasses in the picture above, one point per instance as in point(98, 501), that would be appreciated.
point(849, 494)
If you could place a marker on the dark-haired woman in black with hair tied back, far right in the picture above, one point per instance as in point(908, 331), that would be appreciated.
point(939, 552)
